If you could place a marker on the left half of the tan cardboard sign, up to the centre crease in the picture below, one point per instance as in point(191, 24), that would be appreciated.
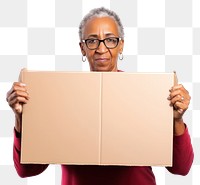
point(61, 122)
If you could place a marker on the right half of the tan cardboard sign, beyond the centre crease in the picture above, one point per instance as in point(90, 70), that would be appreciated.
point(137, 124)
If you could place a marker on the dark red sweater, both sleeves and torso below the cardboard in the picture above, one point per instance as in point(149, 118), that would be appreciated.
point(111, 175)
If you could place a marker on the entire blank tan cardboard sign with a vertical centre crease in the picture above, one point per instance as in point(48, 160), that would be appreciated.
point(97, 118)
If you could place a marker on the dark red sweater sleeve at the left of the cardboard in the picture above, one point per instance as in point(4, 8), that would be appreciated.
point(24, 170)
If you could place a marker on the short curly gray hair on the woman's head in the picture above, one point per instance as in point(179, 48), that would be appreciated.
point(101, 12)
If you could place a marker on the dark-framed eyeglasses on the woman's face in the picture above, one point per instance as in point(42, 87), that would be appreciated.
point(110, 42)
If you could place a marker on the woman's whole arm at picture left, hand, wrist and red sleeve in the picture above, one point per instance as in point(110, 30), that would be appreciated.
point(16, 97)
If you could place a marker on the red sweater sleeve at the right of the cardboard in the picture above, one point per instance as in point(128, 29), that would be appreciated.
point(183, 154)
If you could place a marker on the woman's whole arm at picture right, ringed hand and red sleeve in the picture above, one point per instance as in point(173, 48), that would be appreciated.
point(183, 154)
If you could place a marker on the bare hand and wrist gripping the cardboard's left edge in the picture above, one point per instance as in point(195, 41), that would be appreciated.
point(16, 97)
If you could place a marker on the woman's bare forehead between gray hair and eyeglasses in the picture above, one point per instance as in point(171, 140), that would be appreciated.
point(100, 25)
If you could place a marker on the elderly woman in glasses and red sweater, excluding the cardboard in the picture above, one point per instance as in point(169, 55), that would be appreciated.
point(101, 42)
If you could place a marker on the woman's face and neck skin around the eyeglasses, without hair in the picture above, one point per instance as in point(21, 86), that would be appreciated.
point(102, 58)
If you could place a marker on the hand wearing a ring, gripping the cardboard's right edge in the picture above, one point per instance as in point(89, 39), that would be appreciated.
point(180, 99)
